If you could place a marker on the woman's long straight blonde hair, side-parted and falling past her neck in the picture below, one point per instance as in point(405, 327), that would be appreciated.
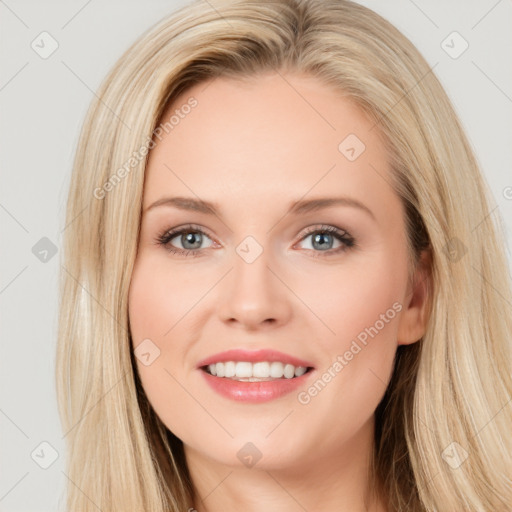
point(454, 385)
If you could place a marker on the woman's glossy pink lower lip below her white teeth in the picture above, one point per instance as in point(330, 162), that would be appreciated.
point(254, 392)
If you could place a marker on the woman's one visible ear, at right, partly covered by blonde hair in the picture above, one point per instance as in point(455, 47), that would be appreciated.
point(417, 302)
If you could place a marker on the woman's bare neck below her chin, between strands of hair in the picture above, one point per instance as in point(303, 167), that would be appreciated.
point(323, 481)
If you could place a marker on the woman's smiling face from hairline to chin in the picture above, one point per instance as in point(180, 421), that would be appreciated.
point(270, 265)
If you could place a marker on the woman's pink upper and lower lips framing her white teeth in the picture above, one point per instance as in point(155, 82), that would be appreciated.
point(253, 392)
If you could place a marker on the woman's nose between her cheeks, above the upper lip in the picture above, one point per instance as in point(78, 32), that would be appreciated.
point(254, 296)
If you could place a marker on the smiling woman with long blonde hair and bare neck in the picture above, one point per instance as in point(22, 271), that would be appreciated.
point(337, 335)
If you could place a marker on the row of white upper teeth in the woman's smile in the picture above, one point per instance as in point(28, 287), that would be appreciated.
point(253, 372)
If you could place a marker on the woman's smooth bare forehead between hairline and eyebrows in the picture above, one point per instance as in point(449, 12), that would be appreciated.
point(264, 138)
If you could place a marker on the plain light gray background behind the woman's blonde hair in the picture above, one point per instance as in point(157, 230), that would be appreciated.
point(43, 103)
